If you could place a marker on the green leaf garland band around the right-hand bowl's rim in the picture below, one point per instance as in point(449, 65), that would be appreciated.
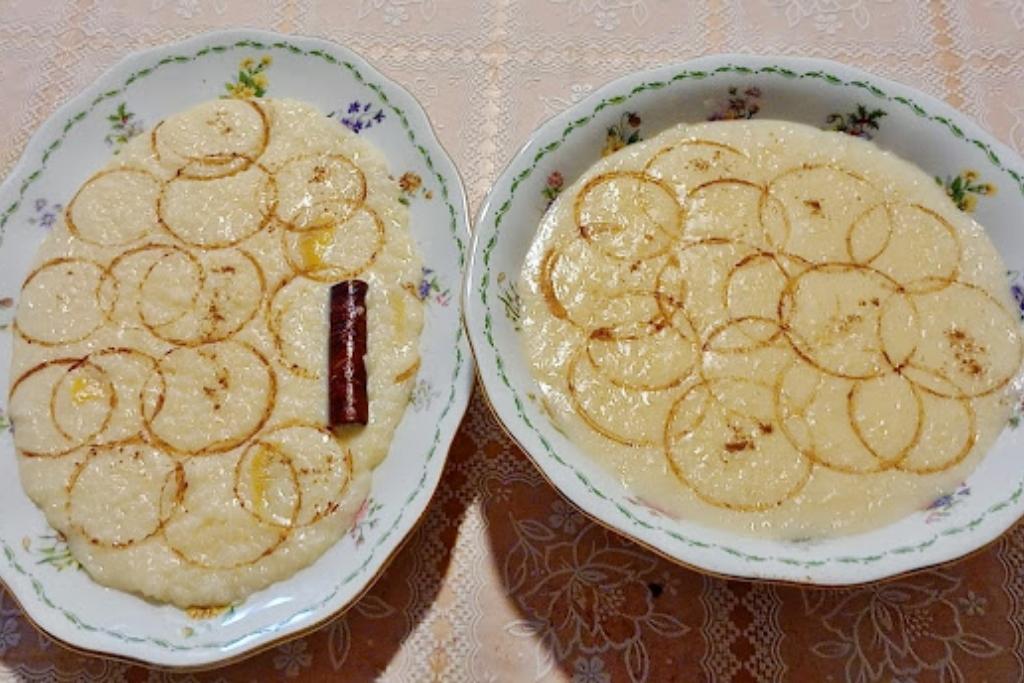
point(485, 282)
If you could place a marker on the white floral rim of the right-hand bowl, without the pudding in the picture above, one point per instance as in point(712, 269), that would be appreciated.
point(915, 126)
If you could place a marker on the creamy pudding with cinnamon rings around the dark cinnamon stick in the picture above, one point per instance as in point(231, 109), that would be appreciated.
point(169, 400)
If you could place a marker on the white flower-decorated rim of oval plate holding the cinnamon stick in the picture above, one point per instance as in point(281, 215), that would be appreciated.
point(76, 142)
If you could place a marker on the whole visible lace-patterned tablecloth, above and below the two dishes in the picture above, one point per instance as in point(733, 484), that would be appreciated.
point(489, 73)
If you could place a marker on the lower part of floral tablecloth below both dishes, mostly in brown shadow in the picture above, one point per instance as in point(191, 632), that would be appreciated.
point(505, 581)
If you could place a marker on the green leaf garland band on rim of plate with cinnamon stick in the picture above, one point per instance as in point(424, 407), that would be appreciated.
point(32, 178)
